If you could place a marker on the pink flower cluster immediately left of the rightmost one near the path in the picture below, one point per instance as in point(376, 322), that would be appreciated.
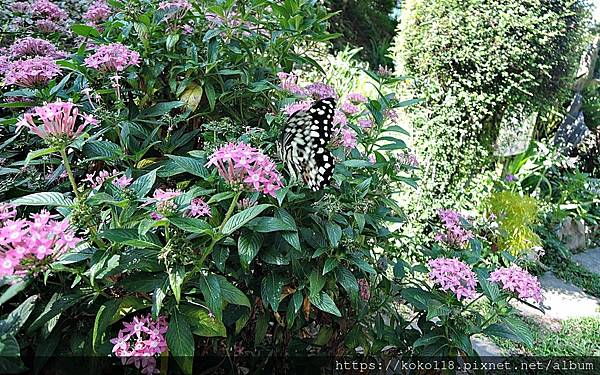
point(453, 275)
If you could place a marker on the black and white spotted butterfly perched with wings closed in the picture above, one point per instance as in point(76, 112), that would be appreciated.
point(303, 141)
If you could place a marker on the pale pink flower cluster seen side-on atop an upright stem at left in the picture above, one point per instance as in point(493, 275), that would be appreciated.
point(59, 121)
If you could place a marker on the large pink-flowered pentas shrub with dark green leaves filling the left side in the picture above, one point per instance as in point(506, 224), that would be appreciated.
point(156, 197)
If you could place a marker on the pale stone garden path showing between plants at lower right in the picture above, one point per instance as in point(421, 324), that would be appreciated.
point(562, 300)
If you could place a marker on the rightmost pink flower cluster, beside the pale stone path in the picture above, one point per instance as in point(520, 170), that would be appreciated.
point(517, 280)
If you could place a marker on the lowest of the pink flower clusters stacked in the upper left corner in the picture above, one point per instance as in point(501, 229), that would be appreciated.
point(37, 71)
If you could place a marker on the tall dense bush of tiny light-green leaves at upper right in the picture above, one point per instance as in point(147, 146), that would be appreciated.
point(480, 65)
